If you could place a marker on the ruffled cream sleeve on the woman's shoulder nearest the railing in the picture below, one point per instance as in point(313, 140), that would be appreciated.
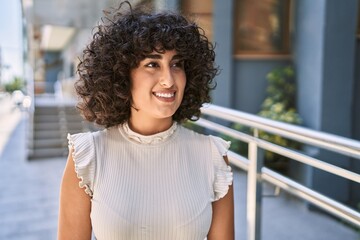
point(223, 175)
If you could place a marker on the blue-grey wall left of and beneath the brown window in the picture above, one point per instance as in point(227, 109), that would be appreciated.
point(241, 83)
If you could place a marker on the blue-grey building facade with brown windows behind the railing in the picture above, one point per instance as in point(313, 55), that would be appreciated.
point(320, 40)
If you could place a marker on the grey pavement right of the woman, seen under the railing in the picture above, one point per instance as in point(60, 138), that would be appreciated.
point(286, 218)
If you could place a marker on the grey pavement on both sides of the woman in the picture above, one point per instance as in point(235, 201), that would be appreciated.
point(29, 193)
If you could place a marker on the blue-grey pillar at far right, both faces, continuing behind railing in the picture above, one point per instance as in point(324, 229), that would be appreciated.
point(324, 60)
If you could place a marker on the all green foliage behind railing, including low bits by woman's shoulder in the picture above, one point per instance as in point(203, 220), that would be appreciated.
point(279, 105)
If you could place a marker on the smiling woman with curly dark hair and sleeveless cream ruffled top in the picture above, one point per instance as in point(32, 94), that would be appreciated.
point(145, 176)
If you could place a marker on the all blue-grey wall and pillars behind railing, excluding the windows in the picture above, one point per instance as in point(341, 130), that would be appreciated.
point(323, 58)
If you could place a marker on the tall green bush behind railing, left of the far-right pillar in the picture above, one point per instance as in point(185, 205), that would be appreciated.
point(280, 105)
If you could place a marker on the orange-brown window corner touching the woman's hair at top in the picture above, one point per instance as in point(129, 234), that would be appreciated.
point(201, 13)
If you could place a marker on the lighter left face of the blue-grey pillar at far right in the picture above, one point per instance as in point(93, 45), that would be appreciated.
point(308, 52)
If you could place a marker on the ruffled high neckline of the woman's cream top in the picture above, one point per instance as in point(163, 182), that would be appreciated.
point(148, 139)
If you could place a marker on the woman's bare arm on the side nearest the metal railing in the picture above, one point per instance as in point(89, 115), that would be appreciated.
point(222, 224)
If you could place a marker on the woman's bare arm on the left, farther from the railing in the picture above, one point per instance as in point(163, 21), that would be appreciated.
point(75, 206)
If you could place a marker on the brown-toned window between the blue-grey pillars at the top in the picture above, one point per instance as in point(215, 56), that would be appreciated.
point(262, 27)
